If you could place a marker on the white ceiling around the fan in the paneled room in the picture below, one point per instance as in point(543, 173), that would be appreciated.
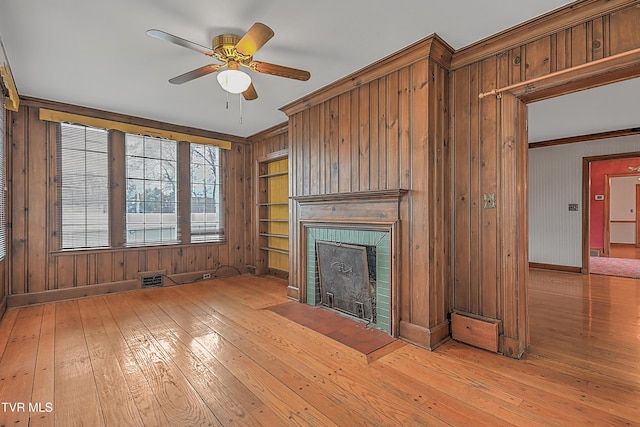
point(96, 53)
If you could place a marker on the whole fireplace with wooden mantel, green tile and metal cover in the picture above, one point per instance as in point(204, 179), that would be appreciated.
point(367, 223)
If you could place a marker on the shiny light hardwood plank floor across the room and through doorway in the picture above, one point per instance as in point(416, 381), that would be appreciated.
point(209, 354)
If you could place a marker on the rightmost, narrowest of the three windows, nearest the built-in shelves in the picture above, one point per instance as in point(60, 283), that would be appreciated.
point(206, 212)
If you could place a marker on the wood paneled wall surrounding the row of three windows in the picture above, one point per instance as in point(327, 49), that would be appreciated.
point(39, 272)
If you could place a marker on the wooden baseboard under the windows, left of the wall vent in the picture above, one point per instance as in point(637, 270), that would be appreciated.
point(71, 293)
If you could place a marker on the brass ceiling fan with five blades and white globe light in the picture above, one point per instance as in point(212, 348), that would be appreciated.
point(234, 52)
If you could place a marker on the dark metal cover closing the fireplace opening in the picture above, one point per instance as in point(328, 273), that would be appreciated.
point(344, 279)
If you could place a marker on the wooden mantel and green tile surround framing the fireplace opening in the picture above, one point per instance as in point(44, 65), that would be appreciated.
point(364, 218)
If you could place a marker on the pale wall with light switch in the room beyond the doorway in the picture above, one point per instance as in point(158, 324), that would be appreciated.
point(555, 181)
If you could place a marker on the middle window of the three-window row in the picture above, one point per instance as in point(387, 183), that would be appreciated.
point(151, 195)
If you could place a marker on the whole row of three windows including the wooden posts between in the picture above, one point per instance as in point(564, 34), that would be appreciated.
point(119, 189)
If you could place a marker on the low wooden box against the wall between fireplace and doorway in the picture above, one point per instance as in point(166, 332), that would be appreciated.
point(475, 330)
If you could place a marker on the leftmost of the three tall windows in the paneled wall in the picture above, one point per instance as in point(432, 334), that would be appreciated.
point(83, 187)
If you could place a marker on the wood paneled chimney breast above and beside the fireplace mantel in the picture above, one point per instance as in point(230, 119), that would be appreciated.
point(386, 128)
